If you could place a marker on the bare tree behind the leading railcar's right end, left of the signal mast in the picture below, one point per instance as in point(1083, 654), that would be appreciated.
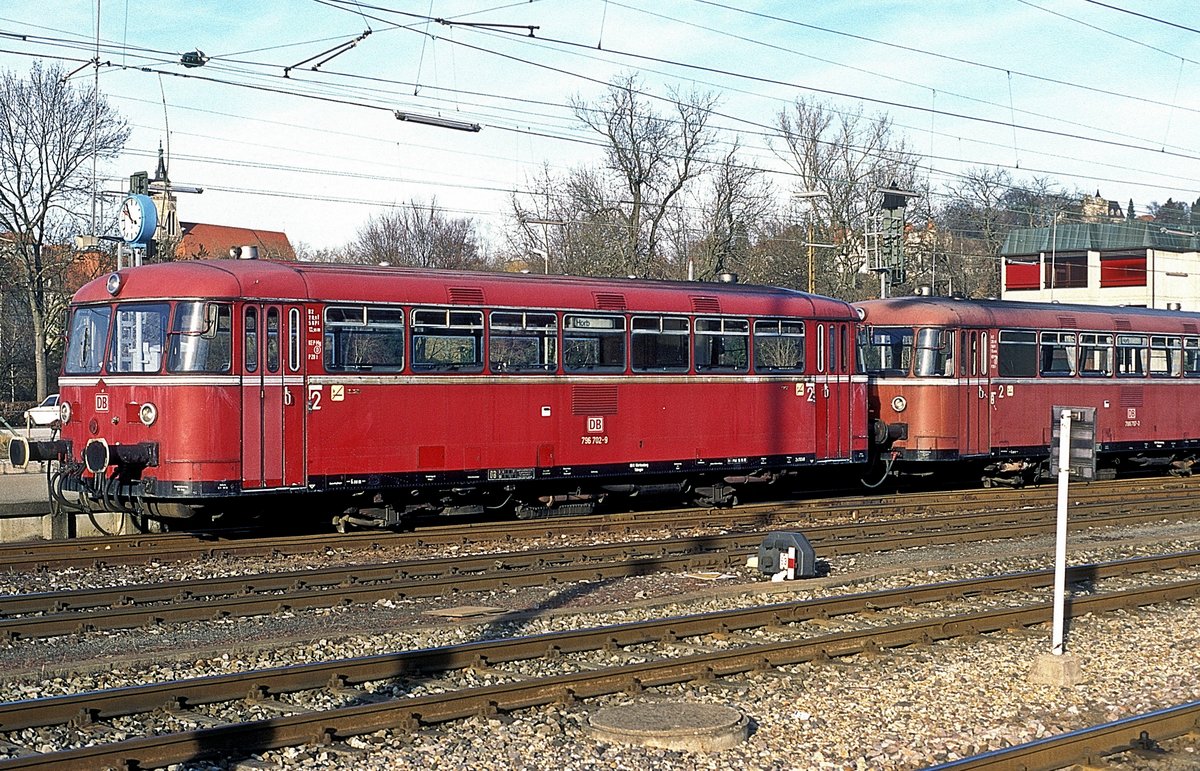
point(848, 159)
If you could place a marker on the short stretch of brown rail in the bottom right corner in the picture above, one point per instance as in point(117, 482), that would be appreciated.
point(1087, 745)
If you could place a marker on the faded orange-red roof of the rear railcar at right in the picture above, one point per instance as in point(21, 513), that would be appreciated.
point(952, 312)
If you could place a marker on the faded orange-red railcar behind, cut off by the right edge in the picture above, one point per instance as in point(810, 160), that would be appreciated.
point(956, 381)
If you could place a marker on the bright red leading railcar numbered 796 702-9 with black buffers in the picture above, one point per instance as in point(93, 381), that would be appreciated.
point(385, 391)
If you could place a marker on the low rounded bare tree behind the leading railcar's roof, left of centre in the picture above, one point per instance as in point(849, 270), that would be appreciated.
point(421, 236)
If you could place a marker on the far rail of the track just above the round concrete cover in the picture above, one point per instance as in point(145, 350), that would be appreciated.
point(267, 683)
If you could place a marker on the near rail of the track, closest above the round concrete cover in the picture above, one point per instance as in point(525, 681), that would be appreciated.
point(327, 726)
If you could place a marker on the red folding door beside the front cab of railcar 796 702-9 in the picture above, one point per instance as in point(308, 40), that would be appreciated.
point(273, 411)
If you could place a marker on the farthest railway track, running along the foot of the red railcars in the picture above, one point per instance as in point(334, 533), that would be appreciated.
point(878, 512)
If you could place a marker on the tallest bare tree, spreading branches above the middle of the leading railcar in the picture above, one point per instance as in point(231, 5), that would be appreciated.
point(651, 159)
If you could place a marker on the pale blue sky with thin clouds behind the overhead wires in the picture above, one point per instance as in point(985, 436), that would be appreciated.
point(1075, 91)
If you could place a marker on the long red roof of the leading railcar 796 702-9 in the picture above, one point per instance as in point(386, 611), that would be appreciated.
point(227, 279)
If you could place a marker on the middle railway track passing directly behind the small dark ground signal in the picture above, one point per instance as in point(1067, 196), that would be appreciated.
point(127, 607)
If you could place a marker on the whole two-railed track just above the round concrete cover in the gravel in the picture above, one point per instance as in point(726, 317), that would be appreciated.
point(587, 664)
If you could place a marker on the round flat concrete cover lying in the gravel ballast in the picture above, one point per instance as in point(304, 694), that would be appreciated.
point(671, 726)
